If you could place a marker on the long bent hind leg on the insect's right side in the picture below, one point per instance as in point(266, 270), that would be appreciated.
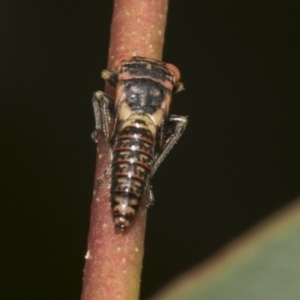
point(175, 128)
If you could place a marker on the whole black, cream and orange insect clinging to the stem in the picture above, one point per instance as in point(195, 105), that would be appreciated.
point(138, 129)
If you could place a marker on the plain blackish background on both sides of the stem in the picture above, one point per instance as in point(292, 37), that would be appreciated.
point(237, 162)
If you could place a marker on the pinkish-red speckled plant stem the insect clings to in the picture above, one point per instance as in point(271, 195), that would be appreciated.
point(114, 259)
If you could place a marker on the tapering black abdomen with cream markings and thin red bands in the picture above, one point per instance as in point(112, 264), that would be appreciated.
point(133, 155)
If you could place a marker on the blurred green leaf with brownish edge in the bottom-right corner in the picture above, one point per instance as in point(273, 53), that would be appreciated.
point(264, 264)
